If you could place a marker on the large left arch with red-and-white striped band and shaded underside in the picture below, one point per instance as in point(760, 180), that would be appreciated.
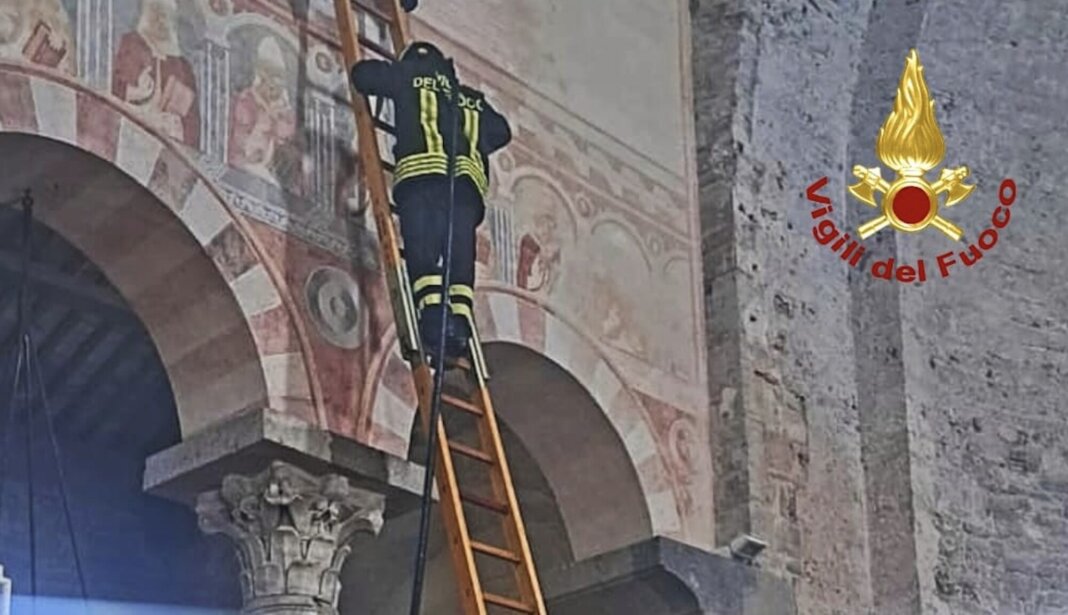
point(225, 325)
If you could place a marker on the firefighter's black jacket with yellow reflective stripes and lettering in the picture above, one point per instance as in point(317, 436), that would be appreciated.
point(422, 94)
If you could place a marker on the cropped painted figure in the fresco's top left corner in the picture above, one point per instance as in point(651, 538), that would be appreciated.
point(39, 31)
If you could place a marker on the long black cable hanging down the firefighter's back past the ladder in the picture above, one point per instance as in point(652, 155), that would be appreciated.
point(439, 372)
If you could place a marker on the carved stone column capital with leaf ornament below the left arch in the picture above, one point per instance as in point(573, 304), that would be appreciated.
point(292, 532)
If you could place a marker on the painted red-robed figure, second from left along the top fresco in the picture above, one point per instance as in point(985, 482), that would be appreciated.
point(152, 75)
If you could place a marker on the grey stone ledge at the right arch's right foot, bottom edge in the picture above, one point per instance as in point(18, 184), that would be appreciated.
point(663, 577)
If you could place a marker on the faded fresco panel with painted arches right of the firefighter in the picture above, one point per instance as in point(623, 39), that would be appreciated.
point(598, 267)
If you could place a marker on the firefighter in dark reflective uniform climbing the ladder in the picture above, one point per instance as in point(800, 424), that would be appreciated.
point(422, 85)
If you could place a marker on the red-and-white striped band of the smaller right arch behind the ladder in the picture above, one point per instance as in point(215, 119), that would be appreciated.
point(505, 317)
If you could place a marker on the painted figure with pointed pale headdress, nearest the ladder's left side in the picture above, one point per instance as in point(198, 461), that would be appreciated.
point(264, 122)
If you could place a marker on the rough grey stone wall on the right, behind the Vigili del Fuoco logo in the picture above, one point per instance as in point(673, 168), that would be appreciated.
point(900, 446)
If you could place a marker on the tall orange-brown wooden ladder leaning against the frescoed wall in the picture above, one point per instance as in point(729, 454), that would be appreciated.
point(491, 496)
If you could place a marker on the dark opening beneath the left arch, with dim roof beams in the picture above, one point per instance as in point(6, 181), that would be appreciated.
point(112, 404)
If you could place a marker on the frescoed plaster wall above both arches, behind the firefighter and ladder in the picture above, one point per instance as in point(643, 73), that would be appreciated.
point(591, 201)
